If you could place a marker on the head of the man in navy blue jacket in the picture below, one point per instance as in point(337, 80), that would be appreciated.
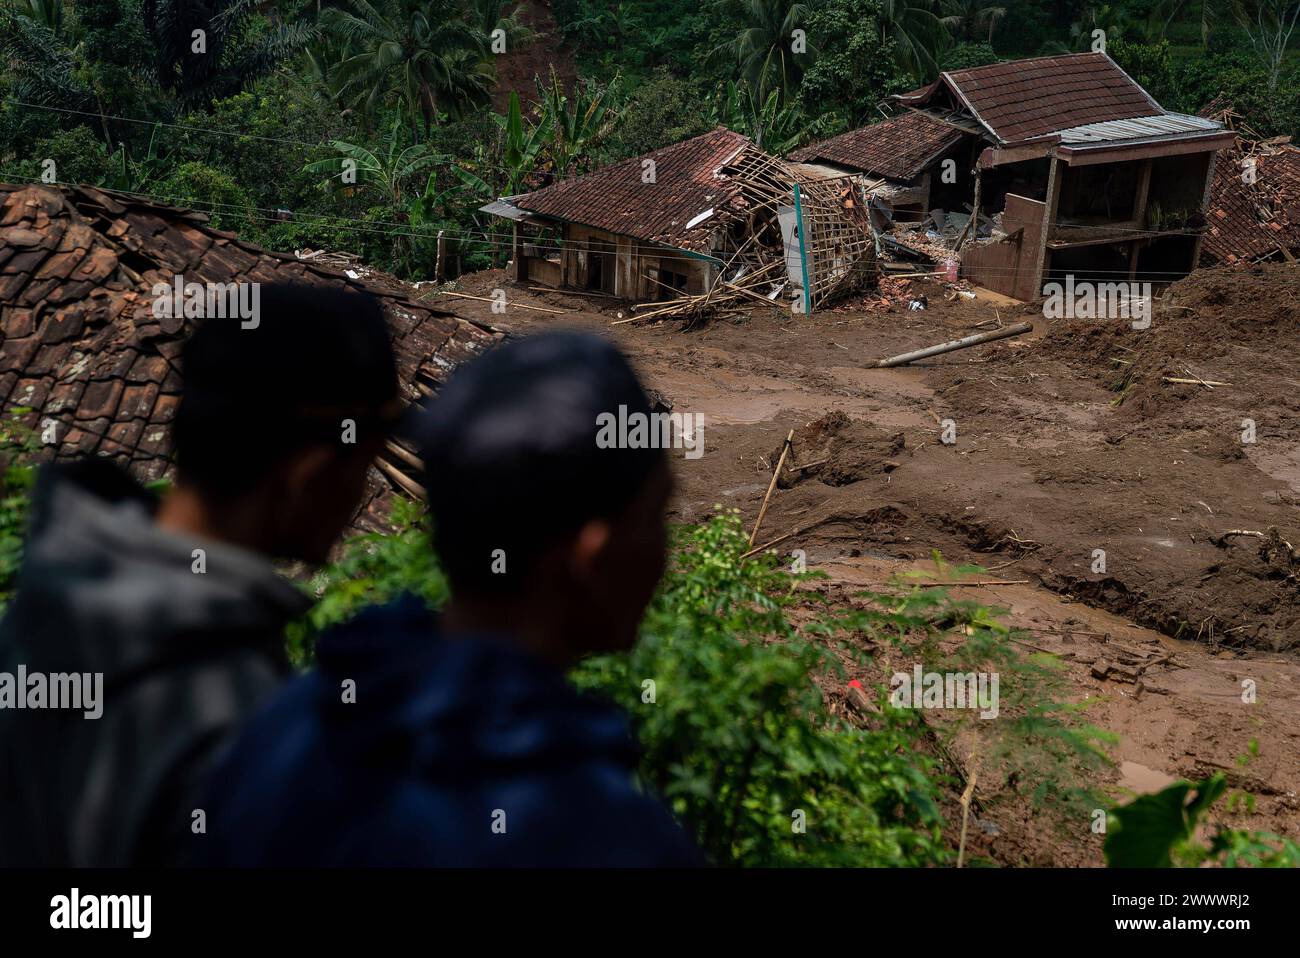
point(532, 517)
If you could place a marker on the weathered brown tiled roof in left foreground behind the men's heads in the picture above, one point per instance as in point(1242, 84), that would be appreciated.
point(79, 339)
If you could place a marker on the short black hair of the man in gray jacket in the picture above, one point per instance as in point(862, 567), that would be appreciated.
point(253, 396)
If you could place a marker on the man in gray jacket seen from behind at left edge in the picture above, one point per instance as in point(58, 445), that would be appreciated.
point(167, 615)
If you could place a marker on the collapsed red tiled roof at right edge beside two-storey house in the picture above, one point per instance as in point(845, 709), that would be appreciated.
point(1247, 222)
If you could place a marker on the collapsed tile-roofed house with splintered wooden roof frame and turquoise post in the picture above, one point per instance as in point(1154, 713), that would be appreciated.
point(710, 222)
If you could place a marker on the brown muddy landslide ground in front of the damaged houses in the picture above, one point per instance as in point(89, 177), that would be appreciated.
point(1068, 441)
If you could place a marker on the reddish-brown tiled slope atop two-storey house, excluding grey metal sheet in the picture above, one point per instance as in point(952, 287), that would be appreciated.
point(1024, 99)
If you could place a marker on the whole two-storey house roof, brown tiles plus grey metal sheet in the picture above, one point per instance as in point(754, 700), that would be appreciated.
point(1077, 102)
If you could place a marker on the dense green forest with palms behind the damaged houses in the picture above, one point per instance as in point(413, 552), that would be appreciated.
point(250, 111)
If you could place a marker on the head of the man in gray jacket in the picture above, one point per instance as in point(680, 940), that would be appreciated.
point(280, 422)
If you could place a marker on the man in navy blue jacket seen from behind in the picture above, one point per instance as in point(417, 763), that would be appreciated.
point(457, 740)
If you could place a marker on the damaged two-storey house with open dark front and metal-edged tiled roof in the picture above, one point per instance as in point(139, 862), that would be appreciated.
point(1080, 171)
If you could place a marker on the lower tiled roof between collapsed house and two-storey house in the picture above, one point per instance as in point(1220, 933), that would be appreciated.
point(898, 149)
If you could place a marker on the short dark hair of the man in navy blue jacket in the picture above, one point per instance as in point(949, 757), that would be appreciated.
point(512, 456)
